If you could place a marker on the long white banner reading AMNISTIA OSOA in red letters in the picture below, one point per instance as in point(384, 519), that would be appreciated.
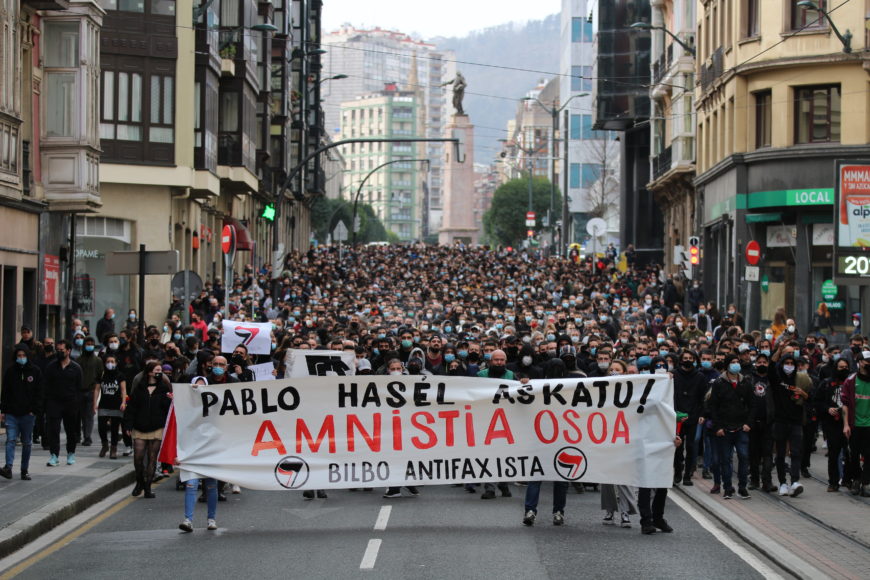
point(336, 432)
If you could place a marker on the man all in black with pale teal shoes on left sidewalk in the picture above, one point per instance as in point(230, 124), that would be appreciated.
point(63, 393)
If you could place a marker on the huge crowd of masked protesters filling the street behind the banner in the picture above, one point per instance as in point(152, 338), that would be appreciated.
point(763, 394)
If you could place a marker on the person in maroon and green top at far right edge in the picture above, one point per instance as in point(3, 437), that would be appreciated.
point(855, 397)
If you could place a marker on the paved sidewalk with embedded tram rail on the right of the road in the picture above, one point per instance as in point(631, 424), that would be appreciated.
point(815, 535)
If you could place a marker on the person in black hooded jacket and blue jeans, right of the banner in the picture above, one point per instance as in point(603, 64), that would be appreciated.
point(732, 412)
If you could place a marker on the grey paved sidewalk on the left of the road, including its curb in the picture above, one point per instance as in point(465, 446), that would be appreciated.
point(28, 509)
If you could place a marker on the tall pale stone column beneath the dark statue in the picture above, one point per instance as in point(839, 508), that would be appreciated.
point(458, 223)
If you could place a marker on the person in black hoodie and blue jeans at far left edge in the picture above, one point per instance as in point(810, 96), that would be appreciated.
point(20, 404)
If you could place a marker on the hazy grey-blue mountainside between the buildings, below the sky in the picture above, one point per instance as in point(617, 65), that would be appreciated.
point(494, 90)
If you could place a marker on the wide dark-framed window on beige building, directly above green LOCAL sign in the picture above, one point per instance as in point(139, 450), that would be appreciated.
point(817, 114)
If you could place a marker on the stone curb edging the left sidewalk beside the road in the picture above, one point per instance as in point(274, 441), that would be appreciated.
point(30, 527)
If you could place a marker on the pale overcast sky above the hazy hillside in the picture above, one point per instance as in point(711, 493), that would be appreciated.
point(429, 19)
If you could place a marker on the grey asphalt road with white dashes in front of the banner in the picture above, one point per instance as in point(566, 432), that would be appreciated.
point(443, 533)
